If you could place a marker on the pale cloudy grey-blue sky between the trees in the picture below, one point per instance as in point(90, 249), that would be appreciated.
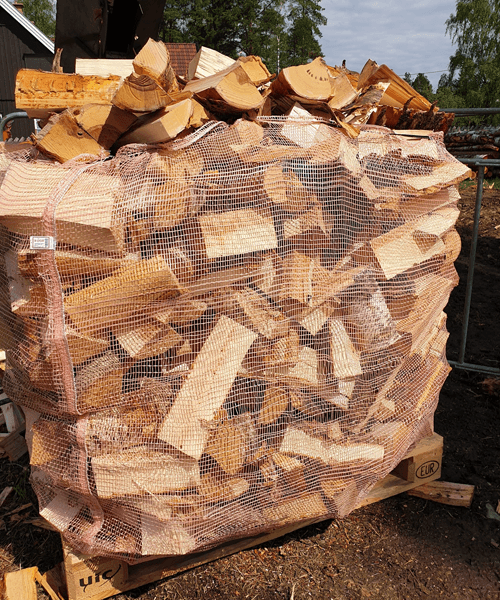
point(406, 36)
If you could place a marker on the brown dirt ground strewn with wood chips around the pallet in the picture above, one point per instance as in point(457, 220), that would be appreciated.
point(401, 548)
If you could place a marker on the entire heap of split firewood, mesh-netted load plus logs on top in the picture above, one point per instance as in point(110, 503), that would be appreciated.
point(232, 331)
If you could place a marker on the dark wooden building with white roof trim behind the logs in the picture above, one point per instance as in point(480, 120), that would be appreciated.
point(22, 45)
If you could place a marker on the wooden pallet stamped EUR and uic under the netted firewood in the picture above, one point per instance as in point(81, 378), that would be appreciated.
point(90, 578)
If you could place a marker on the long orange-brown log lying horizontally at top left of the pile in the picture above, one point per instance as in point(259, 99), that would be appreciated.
point(40, 93)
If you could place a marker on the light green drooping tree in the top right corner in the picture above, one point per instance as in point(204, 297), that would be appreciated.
point(474, 73)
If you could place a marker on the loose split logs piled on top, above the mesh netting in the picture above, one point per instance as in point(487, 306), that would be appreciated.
point(92, 112)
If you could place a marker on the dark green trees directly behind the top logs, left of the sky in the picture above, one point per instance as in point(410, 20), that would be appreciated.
point(281, 32)
